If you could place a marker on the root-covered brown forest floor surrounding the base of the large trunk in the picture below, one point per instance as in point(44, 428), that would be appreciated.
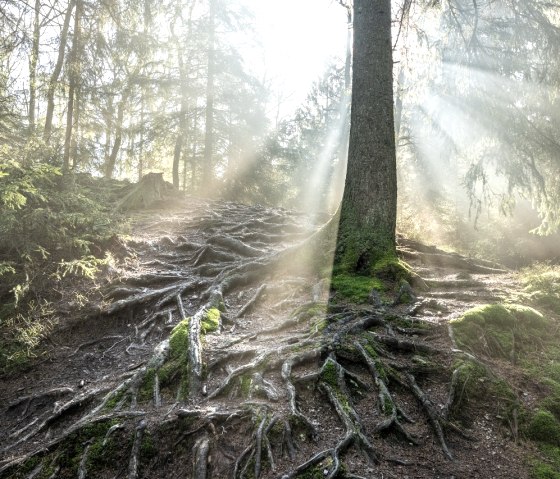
point(273, 375)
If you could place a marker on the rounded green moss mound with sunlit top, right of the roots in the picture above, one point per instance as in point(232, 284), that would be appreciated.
point(499, 330)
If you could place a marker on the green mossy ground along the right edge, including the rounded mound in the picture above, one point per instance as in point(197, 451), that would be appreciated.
point(524, 336)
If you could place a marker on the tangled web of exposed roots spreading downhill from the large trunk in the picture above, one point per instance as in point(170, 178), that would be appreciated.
point(250, 403)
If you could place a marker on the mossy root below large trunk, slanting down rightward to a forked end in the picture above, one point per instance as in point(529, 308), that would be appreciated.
point(387, 406)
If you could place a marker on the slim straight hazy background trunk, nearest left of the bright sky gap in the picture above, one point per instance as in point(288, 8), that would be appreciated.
point(208, 167)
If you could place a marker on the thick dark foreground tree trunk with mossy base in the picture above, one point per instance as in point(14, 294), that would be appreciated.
point(369, 205)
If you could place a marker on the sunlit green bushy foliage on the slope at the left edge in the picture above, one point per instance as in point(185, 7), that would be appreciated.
point(51, 228)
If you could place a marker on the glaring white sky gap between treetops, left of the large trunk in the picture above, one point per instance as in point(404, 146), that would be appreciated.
point(299, 39)
